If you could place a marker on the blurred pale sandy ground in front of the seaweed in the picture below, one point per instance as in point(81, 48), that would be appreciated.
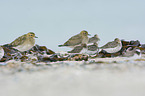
point(98, 77)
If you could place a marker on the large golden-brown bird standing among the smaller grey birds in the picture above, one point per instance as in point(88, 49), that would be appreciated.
point(81, 38)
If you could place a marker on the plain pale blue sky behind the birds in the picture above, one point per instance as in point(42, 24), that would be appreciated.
point(55, 21)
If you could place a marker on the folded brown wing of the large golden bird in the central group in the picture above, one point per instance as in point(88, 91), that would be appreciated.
point(75, 40)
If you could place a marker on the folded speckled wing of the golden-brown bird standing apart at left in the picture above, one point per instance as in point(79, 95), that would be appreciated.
point(18, 41)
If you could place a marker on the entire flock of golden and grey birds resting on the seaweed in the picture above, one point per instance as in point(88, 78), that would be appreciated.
point(80, 43)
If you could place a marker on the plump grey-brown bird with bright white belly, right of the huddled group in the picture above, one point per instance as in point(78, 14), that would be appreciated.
point(112, 47)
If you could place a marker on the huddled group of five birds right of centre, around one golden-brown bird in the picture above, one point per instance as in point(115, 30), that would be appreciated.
point(82, 44)
